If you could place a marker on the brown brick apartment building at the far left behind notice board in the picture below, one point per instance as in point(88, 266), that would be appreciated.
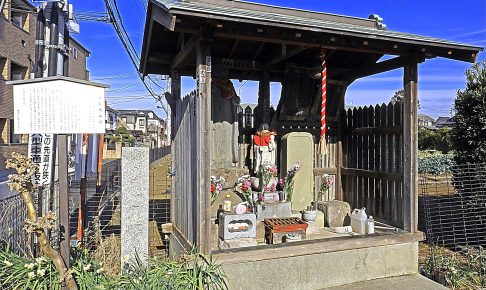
point(18, 21)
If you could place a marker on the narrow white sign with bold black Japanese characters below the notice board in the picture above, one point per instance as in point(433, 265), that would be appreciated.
point(41, 153)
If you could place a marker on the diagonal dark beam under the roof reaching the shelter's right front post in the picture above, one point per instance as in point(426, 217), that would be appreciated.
point(376, 68)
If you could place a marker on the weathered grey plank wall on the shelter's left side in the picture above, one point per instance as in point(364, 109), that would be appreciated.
point(184, 166)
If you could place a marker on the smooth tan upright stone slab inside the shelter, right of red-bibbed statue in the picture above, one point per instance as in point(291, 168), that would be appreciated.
point(299, 147)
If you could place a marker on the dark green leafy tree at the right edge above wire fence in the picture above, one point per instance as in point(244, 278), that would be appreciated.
point(469, 132)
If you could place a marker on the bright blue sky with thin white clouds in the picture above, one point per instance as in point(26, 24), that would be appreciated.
point(439, 79)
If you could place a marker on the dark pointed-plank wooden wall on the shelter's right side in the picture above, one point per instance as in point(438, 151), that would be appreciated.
point(373, 160)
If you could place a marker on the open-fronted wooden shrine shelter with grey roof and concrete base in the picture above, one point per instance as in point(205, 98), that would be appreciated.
point(374, 149)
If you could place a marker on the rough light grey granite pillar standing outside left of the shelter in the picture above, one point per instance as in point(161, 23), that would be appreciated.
point(134, 204)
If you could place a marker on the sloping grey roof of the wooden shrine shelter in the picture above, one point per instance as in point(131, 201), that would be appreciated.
point(169, 13)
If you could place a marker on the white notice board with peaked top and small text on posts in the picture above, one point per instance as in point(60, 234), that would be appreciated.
point(59, 107)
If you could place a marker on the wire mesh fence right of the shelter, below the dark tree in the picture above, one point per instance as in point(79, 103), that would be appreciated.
point(453, 211)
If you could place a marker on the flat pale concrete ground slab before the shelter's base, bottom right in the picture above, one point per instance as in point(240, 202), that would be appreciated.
point(407, 282)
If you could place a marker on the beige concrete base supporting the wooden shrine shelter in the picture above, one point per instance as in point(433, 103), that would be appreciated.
point(303, 270)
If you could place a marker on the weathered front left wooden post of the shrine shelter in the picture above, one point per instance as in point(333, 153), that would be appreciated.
point(203, 133)
